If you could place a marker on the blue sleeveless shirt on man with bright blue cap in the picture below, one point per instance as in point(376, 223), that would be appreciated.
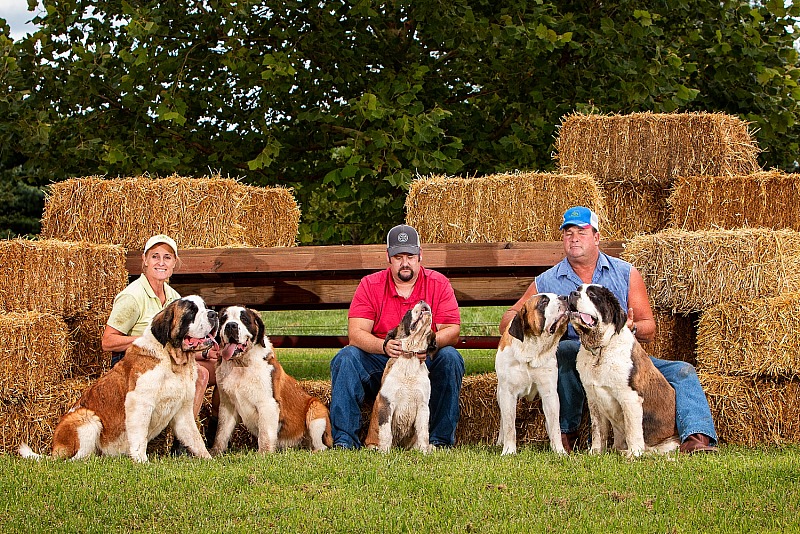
point(613, 273)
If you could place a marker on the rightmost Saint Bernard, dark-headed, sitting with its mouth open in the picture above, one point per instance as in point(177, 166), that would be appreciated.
point(624, 390)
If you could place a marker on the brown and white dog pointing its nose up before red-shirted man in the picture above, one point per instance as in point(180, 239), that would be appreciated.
point(401, 413)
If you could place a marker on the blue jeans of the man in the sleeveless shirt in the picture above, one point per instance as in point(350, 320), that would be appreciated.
point(692, 414)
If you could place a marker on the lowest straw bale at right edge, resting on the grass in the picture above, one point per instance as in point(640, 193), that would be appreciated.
point(754, 411)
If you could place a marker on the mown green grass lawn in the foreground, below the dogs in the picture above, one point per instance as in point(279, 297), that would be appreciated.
point(467, 489)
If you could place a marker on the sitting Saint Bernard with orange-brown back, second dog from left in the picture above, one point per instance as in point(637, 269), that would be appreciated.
point(255, 390)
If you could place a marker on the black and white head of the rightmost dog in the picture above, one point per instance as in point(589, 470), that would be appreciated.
point(596, 314)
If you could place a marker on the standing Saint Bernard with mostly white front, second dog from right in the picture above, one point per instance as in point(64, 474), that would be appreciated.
point(526, 366)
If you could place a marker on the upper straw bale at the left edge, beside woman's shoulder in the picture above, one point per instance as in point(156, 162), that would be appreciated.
point(65, 278)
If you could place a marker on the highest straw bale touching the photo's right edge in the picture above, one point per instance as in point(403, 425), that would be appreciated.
point(764, 199)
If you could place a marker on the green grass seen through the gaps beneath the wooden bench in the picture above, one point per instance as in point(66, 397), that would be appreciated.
point(313, 364)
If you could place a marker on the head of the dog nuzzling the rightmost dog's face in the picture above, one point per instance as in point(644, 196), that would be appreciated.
point(542, 314)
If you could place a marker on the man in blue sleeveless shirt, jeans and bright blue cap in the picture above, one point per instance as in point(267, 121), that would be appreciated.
point(585, 263)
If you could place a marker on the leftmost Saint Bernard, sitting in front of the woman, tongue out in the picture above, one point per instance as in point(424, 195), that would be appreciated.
point(151, 387)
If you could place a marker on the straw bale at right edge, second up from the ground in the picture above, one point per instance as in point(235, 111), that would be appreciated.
point(752, 338)
